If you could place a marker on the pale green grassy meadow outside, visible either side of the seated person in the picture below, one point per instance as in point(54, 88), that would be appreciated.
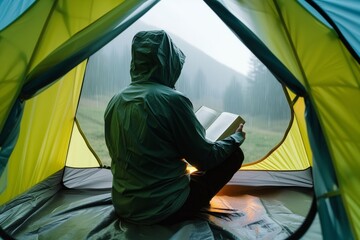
point(258, 141)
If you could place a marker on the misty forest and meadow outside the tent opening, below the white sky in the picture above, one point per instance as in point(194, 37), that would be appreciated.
point(257, 96)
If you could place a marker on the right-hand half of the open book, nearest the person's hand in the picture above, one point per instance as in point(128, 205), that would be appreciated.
point(223, 126)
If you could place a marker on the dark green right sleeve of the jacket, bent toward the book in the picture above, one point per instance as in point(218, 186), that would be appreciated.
point(190, 139)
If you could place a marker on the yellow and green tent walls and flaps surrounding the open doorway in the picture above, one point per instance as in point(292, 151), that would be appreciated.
point(312, 47)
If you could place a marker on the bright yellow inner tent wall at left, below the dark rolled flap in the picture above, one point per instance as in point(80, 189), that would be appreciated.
point(43, 142)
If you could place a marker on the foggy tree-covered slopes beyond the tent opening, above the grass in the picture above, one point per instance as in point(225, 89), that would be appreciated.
point(203, 79)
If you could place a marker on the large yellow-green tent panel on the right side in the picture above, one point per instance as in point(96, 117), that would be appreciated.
point(327, 71)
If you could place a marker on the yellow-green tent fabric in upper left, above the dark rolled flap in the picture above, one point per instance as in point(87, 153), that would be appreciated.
point(45, 26)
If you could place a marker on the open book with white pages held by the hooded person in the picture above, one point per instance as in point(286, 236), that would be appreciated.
point(218, 125)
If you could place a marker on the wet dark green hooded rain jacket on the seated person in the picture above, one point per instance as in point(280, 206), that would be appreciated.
point(150, 128)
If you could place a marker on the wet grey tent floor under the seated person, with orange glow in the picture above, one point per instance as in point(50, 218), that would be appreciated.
point(236, 213)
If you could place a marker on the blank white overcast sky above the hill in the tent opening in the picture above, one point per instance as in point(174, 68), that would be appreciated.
point(196, 23)
